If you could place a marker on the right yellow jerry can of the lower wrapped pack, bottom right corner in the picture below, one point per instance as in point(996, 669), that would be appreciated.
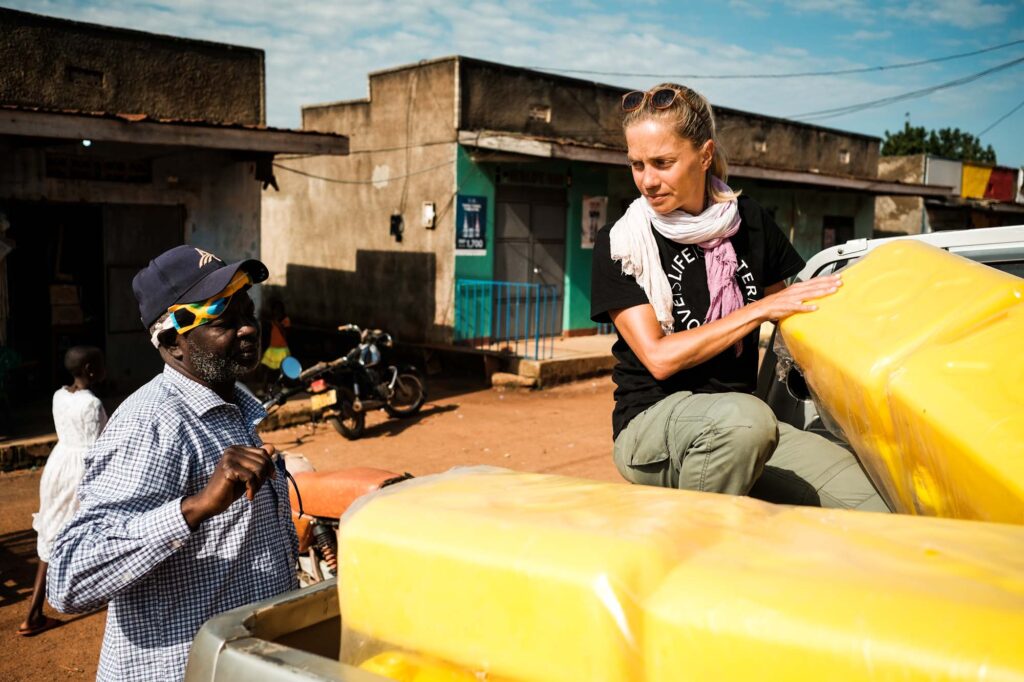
point(845, 596)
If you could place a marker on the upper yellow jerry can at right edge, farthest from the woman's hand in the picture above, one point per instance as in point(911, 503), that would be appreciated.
point(959, 415)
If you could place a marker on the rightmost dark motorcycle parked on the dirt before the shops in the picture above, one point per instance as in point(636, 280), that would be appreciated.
point(364, 385)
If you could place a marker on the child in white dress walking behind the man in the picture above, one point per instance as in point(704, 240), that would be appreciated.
point(79, 417)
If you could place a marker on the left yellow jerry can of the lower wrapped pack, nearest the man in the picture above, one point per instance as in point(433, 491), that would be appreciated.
point(521, 576)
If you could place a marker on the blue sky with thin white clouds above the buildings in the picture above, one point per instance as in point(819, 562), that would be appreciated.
point(322, 51)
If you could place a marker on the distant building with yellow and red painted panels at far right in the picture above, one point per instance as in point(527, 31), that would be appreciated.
point(977, 196)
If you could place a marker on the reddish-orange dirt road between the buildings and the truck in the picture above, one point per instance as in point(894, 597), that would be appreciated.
point(566, 431)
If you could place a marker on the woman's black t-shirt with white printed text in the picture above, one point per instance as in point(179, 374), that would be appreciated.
point(764, 257)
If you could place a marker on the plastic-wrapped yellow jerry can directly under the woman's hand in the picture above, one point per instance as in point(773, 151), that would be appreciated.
point(903, 296)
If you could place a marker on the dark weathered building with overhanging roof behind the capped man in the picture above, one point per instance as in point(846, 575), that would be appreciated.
point(116, 145)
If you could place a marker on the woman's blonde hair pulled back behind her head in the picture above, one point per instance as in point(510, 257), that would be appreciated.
point(692, 118)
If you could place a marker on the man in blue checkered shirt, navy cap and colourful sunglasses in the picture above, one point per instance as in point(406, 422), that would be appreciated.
point(183, 513)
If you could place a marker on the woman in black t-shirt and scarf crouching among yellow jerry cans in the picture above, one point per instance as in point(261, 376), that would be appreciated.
point(688, 277)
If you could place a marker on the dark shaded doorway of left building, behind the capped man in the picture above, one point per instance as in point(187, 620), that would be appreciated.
point(69, 283)
